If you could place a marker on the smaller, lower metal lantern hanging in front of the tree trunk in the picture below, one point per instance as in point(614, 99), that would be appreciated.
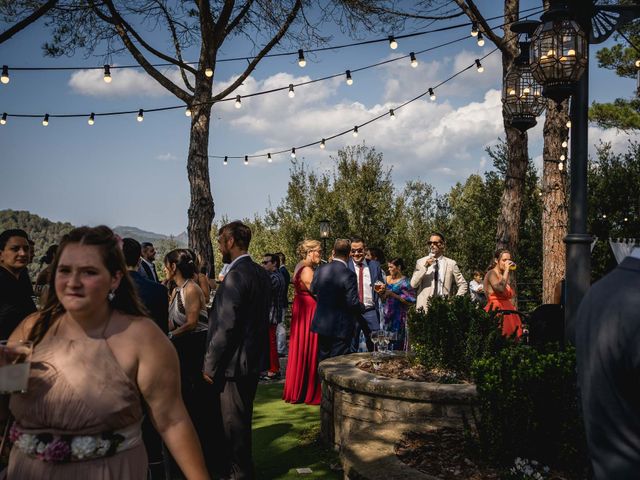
point(521, 94)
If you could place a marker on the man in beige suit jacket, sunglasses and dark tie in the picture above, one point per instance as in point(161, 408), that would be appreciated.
point(435, 274)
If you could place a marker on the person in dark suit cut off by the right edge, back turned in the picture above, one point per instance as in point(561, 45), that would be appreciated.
point(608, 358)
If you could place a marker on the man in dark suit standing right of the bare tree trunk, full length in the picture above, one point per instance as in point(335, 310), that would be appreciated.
point(237, 346)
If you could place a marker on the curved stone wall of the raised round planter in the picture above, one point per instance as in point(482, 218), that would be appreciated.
point(353, 399)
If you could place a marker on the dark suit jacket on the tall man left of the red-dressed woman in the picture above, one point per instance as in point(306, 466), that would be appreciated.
point(238, 337)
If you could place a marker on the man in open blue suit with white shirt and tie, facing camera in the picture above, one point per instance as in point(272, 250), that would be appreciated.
point(368, 272)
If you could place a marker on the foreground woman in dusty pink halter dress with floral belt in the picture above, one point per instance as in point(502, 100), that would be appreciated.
point(96, 358)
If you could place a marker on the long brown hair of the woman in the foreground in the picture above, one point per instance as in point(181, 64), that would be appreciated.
point(126, 298)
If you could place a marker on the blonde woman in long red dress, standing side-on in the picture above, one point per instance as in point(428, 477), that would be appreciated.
point(302, 383)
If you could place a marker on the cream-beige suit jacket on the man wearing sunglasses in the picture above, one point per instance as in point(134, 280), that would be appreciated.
point(422, 280)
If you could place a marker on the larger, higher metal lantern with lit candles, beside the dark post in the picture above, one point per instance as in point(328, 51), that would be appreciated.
point(559, 53)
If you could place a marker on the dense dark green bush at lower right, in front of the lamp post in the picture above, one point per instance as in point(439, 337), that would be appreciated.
point(529, 406)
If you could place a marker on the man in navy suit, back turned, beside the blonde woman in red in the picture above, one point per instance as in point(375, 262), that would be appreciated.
point(336, 290)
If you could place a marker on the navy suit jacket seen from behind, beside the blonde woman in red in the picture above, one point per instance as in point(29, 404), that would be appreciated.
point(336, 291)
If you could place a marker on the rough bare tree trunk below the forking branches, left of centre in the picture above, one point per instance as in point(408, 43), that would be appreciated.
point(201, 208)
